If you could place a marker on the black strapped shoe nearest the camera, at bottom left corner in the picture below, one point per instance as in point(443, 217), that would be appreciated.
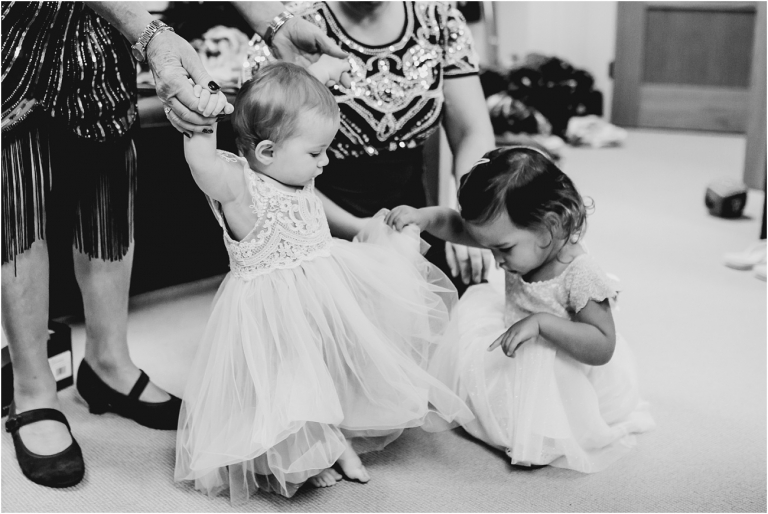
point(63, 469)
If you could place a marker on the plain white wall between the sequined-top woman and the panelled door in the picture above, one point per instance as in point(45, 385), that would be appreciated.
point(580, 32)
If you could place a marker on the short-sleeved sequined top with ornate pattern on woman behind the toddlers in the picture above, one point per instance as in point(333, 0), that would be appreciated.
point(396, 98)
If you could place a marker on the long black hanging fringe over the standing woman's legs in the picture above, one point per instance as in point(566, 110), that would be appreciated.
point(95, 187)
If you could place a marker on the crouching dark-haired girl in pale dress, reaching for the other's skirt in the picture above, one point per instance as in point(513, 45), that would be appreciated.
point(561, 388)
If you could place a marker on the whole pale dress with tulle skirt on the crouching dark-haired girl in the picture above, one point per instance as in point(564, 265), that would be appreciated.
point(544, 407)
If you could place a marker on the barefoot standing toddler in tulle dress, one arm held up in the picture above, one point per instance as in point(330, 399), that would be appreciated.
point(315, 349)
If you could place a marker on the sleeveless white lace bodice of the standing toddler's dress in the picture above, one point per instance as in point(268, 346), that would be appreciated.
point(290, 227)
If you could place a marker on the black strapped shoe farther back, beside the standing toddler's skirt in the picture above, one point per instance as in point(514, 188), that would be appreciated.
point(101, 398)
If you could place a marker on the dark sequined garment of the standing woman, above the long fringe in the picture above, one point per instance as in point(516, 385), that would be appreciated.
point(73, 62)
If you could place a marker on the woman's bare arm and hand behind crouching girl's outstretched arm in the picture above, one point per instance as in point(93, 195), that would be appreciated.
point(470, 135)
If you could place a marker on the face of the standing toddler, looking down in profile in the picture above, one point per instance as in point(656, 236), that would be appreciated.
point(300, 158)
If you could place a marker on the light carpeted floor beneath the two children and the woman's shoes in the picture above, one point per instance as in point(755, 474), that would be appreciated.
point(698, 330)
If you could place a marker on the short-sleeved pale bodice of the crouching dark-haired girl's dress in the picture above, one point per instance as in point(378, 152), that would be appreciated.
point(563, 296)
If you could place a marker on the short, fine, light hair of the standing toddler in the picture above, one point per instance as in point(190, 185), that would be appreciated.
point(268, 105)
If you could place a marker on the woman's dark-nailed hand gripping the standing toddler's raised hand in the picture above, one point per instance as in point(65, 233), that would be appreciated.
point(173, 62)
